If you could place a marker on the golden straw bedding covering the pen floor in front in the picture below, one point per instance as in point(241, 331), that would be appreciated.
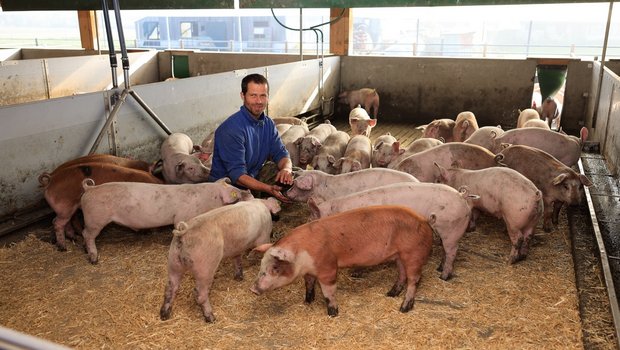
point(489, 304)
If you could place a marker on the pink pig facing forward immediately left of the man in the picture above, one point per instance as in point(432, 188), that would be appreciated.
point(178, 164)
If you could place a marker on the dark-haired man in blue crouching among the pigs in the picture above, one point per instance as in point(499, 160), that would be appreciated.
point(247, 139)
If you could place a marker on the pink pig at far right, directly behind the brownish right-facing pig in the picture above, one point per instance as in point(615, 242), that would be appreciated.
point(565, 148)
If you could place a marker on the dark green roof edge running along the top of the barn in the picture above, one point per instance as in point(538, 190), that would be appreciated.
point(47, 5)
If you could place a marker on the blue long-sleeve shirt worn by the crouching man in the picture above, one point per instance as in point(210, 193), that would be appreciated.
point(243, 144)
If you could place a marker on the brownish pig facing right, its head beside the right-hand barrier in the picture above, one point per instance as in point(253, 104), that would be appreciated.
point(559, 183)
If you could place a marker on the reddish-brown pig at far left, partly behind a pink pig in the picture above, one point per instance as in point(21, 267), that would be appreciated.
point(63, 191)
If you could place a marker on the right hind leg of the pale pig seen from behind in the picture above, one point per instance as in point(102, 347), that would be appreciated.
point(204, 272)
